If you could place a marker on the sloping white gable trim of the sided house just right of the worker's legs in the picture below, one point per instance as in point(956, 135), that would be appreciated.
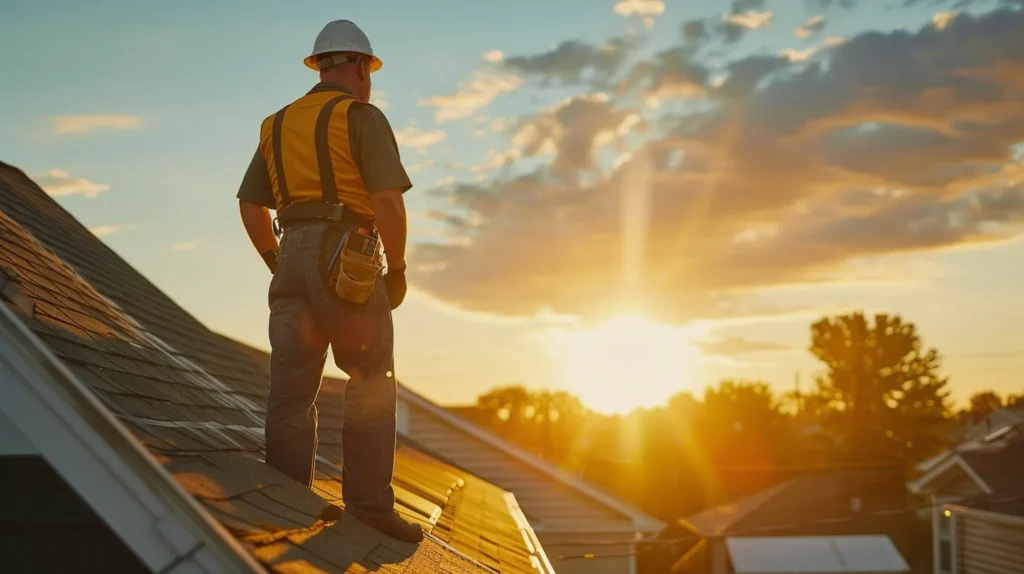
point(642, 521)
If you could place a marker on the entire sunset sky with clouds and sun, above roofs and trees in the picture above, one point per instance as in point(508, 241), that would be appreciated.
point(621, 199)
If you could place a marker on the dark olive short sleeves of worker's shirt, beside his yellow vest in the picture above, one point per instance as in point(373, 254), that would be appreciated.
point(374, 148)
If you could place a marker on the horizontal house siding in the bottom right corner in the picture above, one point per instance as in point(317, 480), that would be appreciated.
point(989, 547)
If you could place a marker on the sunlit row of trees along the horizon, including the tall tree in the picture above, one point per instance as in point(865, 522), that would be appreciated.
point(880, 401)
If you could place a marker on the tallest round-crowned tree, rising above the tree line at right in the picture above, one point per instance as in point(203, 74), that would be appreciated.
point(886, 400)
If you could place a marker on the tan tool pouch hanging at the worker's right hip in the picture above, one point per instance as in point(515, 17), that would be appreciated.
point(355, 266)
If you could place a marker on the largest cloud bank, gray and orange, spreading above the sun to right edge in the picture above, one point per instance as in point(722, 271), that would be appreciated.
point(787, 174)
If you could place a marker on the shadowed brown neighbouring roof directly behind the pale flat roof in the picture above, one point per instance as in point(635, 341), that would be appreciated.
point(808, 504)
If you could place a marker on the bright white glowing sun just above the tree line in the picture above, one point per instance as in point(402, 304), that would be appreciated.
point(627, 363)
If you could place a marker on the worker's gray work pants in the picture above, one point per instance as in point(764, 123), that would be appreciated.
point(306, 318)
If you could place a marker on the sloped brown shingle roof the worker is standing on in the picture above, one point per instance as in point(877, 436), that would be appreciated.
point(197, 403)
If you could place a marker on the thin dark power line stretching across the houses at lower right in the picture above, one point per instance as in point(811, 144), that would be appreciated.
point(662, 543)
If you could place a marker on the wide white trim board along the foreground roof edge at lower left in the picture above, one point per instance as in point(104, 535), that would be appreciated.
point(105, 464)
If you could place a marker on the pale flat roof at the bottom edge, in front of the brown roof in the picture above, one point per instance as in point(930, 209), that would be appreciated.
point(816, 555)
